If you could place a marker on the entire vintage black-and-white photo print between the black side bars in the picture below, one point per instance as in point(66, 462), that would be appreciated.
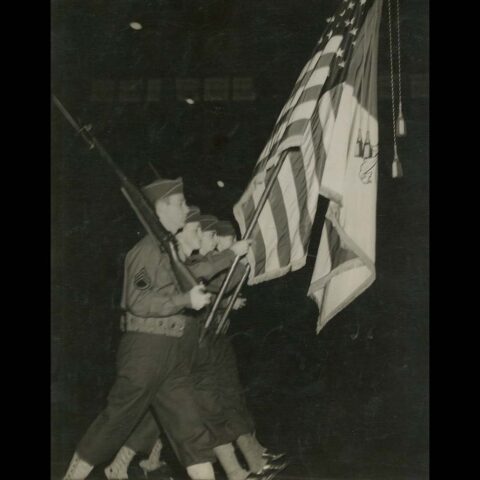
point(239, 239)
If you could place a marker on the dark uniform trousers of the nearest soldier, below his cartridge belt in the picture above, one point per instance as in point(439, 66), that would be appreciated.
point(153, 371)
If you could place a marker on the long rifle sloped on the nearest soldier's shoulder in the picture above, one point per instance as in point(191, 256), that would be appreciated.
point(140, 205)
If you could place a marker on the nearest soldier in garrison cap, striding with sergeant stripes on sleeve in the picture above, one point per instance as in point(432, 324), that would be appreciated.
point(155, 354)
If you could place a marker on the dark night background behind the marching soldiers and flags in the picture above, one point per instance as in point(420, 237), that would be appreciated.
point(350, 402)
